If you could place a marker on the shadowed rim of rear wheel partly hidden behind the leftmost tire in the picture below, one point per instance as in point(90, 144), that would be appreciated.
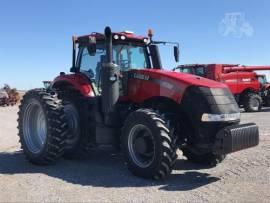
point(73, 123)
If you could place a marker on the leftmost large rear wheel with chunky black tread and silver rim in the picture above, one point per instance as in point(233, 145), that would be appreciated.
point(56, 126)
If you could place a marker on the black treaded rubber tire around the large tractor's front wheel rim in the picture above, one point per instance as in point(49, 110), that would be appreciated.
point(163, 138)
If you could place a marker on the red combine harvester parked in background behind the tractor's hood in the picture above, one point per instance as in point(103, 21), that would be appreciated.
point(250, 89)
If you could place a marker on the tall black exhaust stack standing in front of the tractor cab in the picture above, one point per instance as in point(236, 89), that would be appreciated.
point(109, 78)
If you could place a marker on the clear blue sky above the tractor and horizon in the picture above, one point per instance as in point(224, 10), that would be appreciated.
point(35, 36)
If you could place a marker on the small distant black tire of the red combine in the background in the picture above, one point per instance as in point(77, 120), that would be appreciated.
point(252, 102)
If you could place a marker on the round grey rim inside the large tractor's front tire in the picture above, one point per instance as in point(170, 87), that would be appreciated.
point(141, 145)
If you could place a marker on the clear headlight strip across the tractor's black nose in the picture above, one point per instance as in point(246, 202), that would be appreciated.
point(220, 117)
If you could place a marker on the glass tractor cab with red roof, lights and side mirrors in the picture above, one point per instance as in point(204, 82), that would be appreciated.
point(128, 52)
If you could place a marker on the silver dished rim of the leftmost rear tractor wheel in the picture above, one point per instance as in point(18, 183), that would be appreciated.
point(34, 127)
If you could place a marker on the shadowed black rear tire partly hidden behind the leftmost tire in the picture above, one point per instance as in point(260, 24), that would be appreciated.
point(80, 145)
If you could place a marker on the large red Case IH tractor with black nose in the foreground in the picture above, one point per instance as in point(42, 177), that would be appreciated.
point(118, 93)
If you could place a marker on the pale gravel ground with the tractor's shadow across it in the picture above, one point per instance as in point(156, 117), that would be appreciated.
point(102, 177)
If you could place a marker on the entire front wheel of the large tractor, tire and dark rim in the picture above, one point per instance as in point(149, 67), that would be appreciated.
point(149, 144)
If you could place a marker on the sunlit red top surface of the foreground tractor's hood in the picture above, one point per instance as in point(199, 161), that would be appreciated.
point(181, 78)
